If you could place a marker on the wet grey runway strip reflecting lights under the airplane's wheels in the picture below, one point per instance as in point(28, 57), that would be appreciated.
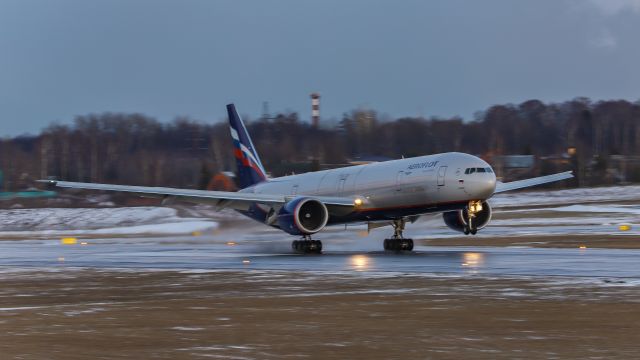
point(210, 253)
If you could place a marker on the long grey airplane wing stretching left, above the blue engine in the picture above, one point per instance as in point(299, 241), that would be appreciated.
point(221, 199)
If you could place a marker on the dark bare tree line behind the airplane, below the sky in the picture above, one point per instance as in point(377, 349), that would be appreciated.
point(586, 136)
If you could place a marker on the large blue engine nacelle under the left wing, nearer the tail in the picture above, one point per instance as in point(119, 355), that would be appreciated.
point(303, 216)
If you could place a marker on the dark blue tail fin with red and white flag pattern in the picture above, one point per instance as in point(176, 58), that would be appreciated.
point(250, 170)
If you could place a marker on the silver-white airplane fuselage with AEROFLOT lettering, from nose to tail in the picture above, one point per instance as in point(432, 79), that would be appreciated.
point(385, 188)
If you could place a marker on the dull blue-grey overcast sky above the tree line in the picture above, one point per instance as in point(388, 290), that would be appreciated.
point(63, 58)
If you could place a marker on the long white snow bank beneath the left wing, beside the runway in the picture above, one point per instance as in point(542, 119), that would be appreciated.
point(90, 221)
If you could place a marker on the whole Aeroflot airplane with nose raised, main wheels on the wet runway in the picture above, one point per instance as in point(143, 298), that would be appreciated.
point(393, 192)
